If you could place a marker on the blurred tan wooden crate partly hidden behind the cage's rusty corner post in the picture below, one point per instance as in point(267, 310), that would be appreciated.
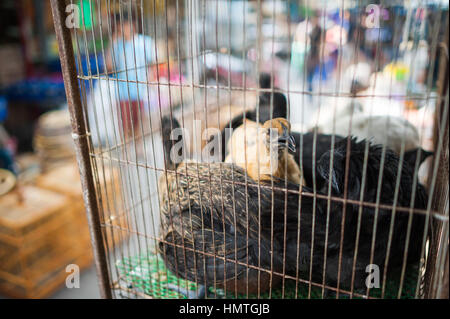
point(65, 179)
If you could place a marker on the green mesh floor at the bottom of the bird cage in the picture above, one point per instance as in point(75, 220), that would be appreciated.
point(148, 274)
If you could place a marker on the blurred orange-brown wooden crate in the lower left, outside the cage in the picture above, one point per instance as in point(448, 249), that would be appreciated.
point(39, 237)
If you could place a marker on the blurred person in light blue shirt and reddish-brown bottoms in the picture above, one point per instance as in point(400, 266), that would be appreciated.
point(129, 55)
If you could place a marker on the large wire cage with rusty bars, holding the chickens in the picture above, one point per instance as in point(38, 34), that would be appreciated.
point(334, 217)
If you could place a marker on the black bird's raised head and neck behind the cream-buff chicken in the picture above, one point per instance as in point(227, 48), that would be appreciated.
point(271, 105)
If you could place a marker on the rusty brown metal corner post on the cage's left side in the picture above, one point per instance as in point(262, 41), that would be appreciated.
point(69, 72)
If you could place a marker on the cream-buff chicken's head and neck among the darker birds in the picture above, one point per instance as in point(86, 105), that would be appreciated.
point(264, 150)
